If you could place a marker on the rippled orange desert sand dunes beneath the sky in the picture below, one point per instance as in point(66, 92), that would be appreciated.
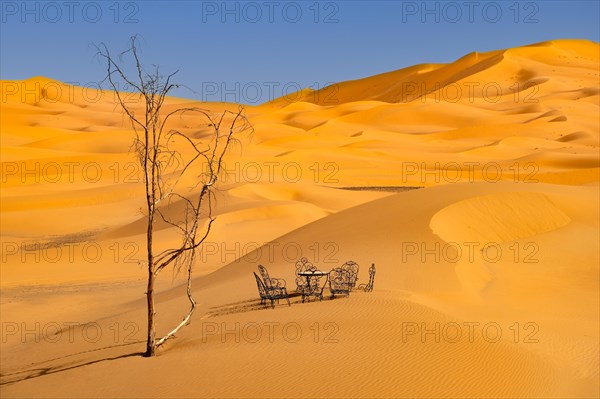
point(472, 186)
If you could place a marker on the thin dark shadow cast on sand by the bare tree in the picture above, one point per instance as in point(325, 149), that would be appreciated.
point(38, 371)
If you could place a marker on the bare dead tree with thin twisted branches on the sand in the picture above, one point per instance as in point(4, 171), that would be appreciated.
point(166, 156)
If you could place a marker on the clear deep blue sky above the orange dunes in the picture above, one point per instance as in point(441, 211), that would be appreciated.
point(256, 49)
